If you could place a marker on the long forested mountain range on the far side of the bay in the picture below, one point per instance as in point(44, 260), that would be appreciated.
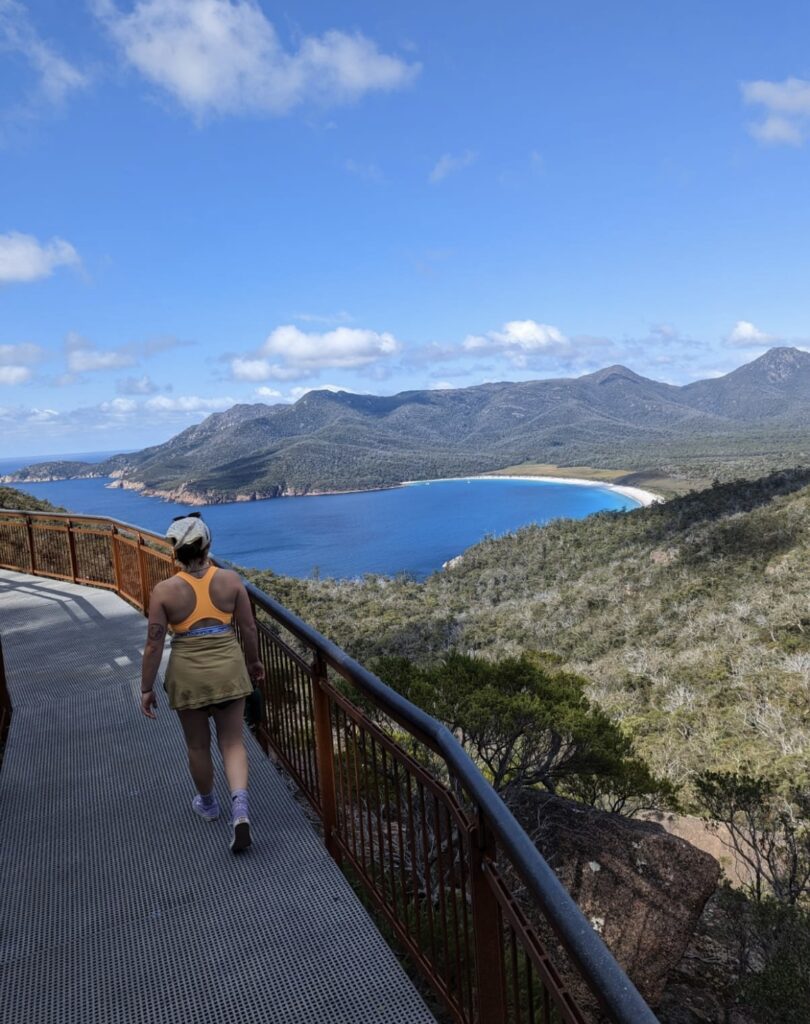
point(339, 441)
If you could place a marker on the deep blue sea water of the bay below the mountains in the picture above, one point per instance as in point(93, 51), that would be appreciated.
point(414, 529)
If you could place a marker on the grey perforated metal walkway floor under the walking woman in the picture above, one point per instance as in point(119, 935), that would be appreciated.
point(118, 906)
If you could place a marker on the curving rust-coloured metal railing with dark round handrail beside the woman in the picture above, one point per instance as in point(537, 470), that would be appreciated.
point(405, 809)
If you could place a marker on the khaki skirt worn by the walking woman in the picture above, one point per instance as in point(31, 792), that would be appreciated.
point(204, 670)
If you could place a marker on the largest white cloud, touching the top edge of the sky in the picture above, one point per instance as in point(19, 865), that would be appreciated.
point(224, 57)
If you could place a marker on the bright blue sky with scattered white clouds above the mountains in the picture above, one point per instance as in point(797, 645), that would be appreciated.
point(205, 202)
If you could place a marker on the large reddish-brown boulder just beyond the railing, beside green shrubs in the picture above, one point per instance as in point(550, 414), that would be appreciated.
point(643, 889)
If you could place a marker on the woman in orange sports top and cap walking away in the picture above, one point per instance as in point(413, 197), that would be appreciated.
point(207, 675)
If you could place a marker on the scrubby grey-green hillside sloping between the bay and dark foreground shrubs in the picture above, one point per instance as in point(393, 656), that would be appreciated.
point(691, 620)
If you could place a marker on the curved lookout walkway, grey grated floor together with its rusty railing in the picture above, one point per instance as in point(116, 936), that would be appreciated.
point(120, 907)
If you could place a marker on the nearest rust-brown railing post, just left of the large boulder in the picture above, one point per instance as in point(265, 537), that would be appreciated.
point(488, 933)
